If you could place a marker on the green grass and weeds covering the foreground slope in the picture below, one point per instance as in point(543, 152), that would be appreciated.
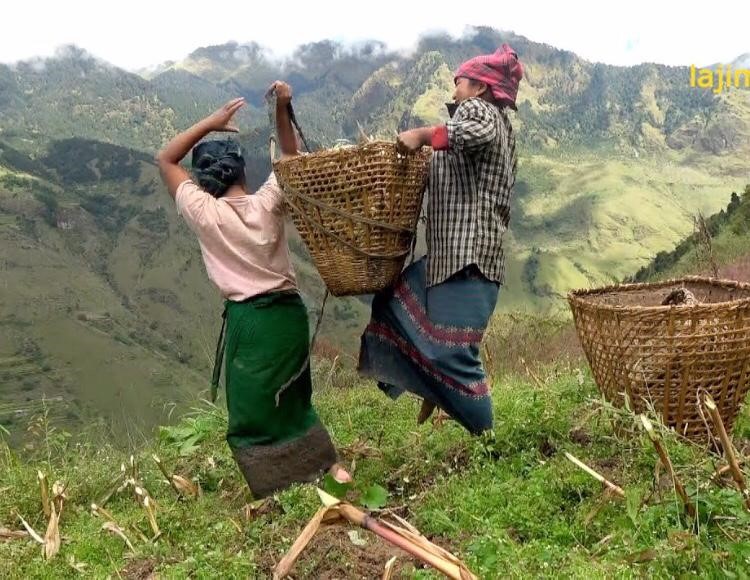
point(509, 505)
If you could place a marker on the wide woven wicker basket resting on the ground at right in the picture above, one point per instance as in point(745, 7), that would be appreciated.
point(669, 356)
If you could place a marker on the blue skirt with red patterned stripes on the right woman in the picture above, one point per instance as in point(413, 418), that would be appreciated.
point(426, 341)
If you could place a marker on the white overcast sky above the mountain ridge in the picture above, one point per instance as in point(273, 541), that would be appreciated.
point(141, 33)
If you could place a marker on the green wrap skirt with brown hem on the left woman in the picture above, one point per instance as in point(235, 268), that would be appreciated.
point(274, 431)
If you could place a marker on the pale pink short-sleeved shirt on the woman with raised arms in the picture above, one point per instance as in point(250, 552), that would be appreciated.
point(242, 238)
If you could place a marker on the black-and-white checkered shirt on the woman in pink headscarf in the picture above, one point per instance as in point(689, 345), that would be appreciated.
point(469, 190)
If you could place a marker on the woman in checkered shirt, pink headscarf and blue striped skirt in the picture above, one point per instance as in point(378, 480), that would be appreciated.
point(424, 334)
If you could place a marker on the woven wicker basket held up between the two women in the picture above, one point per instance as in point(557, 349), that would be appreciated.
point(356, 209)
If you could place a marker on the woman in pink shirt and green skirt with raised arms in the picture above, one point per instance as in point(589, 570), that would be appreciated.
point(274, 431)
